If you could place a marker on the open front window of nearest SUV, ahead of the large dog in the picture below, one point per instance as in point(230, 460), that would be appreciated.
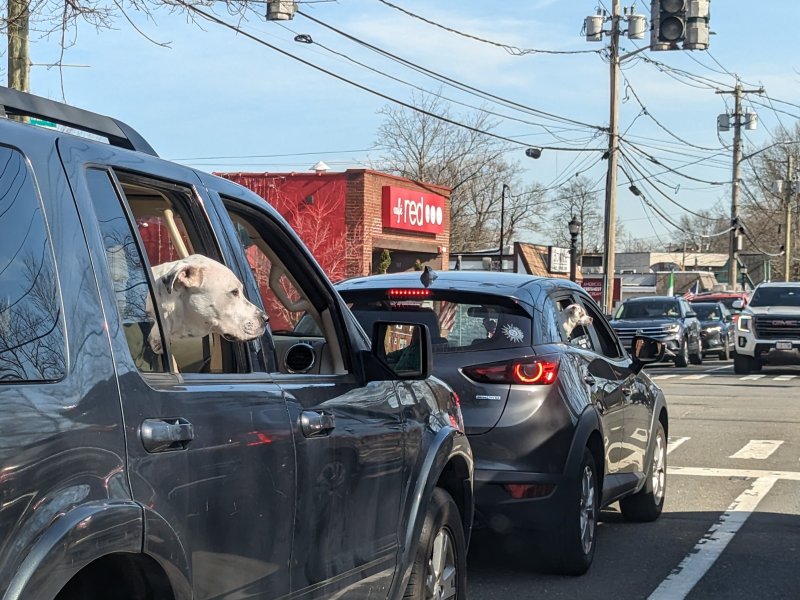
point(286, 284)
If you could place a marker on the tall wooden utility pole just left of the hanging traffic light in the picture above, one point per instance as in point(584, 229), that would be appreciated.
point(610, 231)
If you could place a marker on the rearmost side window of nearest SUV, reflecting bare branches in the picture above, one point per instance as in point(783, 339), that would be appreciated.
point(32, 340)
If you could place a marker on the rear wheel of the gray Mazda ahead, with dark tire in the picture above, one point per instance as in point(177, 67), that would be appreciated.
point(575, 541)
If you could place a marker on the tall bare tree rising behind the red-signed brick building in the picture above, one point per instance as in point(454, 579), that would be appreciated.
point(422, 147)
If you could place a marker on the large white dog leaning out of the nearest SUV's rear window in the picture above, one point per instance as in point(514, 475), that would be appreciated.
point(198, 296)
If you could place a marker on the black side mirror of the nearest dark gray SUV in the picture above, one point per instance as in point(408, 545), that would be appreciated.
point(403, 348)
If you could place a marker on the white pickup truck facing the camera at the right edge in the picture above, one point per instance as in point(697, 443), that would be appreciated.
point(768, 330)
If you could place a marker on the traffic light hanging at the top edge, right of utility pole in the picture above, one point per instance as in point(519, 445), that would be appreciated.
point(679, 24)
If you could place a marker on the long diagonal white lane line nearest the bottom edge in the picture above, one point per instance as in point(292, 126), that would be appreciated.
point(694, 566)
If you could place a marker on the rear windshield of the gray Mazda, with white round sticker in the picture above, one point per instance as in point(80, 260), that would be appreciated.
point(458, 321)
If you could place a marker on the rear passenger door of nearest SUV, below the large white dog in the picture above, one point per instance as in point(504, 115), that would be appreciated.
point(226, 480)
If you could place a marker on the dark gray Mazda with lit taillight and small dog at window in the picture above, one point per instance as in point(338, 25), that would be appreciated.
point(561, 423)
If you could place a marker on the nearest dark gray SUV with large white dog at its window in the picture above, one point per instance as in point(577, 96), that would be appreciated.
point(282, 467)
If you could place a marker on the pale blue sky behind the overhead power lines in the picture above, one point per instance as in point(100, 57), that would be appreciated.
point(223, 102)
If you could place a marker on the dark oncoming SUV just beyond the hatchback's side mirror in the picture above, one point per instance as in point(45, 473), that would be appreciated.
point(670, 319)
